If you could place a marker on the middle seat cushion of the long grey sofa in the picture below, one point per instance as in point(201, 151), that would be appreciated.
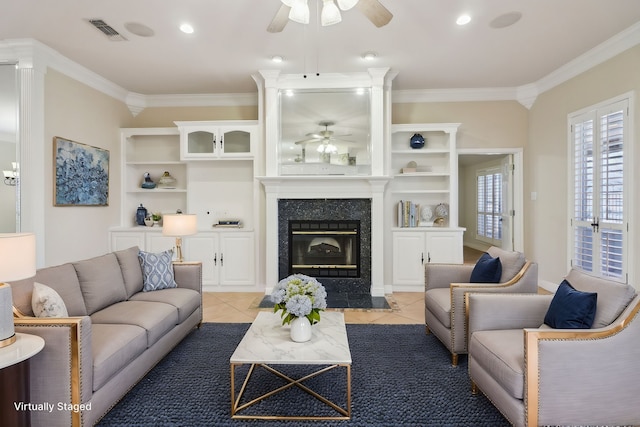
point(155, 317)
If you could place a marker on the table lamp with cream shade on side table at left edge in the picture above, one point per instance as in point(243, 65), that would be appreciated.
point(17, 261)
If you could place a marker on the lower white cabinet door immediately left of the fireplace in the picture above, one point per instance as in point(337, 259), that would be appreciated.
point(237, 259)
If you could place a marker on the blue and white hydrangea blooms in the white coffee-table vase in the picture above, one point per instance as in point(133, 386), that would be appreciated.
point(299, 295)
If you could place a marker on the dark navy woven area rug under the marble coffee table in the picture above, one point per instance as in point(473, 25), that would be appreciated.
point(400, 377)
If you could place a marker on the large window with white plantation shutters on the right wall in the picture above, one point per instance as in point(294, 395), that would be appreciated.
point(599, 225)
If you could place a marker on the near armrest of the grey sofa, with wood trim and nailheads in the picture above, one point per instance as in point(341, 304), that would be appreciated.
point(63, 370)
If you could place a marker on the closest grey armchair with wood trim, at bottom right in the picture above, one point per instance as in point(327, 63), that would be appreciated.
point(537, 375)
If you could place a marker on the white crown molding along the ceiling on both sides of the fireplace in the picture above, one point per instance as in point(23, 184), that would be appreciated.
point(30, 52)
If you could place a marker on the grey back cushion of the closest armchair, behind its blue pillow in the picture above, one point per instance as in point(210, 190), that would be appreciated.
point(613, 297)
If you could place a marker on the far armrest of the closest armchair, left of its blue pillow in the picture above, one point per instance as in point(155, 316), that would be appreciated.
point(489, 311)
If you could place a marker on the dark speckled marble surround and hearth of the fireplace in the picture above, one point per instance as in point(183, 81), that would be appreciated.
point(341, 292)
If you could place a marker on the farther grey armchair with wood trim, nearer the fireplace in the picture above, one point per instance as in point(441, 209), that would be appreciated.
point(446, 284)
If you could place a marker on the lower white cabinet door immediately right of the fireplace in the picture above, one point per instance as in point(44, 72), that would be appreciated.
point(408, 258)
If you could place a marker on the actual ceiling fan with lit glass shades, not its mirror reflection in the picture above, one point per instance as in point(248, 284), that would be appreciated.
point(298, 10)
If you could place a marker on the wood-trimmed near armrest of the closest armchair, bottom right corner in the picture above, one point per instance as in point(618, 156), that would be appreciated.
point(584, 376)
